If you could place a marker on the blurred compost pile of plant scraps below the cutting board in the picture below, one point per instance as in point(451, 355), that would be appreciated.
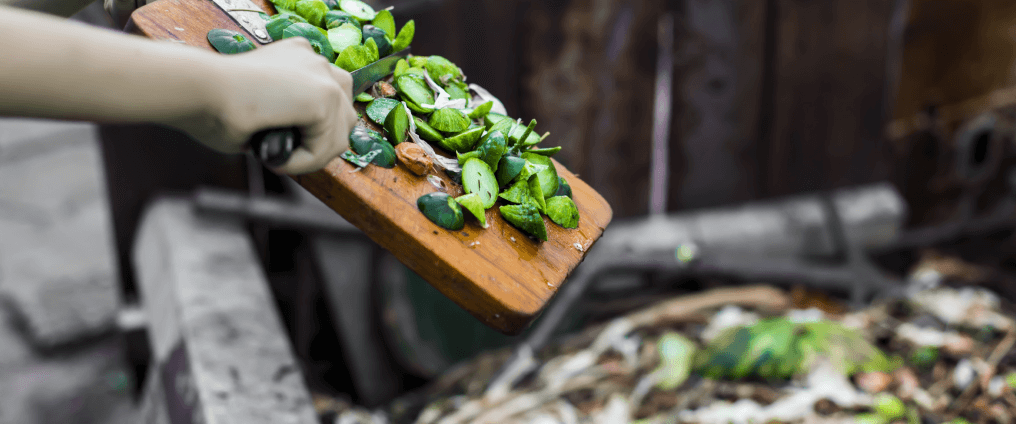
point(756, 355)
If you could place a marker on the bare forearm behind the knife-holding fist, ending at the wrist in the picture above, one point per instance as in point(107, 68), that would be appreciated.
point(52, 69)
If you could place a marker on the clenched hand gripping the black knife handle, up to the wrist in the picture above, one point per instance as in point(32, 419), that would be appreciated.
point(282, 85)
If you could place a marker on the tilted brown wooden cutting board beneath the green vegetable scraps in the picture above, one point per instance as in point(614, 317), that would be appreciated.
point(499, 275)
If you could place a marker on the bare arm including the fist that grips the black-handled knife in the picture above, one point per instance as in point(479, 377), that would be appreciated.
point(53, 69)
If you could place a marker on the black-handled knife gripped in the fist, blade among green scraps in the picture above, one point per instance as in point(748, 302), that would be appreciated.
point(275, 146)
